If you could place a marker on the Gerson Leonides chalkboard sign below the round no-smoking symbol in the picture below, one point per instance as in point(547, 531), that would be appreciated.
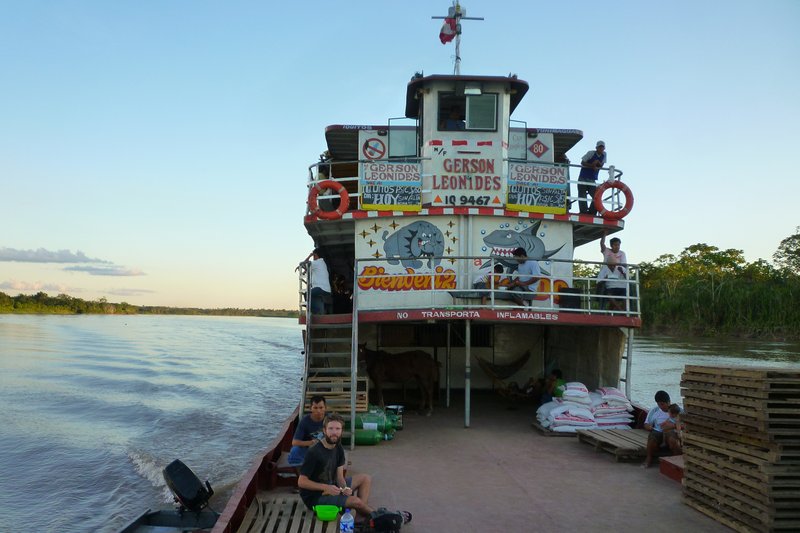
point(391, 186)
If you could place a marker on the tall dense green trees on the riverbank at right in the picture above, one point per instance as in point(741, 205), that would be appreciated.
point(708, 291)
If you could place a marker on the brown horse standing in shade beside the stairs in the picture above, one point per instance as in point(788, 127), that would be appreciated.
point(384, 367)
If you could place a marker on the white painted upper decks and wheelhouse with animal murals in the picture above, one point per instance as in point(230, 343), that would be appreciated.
point(412, 213)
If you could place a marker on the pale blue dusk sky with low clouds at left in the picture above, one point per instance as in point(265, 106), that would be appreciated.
point(156, 152)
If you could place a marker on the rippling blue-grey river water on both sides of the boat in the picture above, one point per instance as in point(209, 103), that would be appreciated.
point(93, 407)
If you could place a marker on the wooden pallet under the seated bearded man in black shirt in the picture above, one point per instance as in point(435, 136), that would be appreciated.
point(283, 512)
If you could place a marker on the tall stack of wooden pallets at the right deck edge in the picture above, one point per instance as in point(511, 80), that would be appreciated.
point(742, 446)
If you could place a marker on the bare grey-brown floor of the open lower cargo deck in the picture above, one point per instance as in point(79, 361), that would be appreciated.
point(502, 475)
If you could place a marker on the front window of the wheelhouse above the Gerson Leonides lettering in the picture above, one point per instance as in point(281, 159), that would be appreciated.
point(467, 112)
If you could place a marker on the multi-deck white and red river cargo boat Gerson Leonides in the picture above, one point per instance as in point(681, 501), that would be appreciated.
point(409, 214)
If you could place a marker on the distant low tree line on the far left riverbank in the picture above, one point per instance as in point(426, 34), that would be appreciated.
point(68, 305)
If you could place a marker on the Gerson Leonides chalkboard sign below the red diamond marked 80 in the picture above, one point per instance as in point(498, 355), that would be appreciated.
point(538, 188)
